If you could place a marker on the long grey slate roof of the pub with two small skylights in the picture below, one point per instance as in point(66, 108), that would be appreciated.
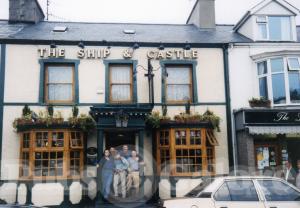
point(113, 33)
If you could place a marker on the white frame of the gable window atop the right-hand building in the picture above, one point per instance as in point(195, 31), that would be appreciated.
point(258, 35)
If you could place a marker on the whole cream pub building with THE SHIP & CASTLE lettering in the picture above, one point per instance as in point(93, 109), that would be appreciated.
point(71, 90)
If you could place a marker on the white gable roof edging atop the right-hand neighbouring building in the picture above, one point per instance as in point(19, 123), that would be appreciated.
point(261, 5)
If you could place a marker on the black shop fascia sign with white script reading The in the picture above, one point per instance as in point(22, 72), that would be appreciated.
point(291, 117)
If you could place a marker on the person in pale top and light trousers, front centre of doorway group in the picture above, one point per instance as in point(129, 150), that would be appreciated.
point(121, 166)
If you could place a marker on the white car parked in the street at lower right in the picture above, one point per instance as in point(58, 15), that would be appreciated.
point(240, 192)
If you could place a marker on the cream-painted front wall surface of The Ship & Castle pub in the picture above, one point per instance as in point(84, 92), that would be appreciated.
point(22, 86)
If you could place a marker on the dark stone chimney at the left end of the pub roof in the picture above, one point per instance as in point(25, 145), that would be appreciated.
point(27, 11)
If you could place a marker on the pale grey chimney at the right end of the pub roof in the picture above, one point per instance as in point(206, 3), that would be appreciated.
point(203, 14)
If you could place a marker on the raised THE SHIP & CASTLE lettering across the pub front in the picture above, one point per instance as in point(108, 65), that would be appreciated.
point(104, 53)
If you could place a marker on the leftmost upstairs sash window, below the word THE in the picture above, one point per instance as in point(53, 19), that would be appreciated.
point(59, 83)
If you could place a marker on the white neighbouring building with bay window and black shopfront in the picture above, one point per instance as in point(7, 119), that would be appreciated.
point(267, 134)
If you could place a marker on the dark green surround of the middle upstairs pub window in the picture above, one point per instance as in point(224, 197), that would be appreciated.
point(120, 61)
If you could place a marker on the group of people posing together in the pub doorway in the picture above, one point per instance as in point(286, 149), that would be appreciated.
point(122, 169)
